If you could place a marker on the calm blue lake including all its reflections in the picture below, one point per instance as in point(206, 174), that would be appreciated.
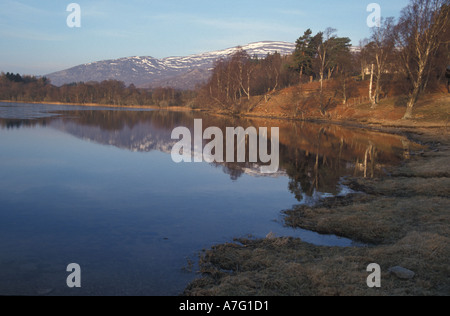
point(98, 187)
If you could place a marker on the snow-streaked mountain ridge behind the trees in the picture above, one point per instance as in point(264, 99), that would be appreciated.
point(177, 72)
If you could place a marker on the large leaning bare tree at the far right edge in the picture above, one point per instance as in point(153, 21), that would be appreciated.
point(419, 34)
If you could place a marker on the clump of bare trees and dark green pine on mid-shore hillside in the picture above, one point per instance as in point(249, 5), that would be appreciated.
point(321, 57)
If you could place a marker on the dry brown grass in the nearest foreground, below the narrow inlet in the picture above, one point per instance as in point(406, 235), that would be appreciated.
point(290, 267)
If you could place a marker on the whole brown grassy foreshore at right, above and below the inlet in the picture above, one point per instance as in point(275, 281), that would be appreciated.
point(404, 218)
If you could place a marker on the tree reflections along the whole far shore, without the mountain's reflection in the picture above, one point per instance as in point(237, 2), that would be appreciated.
point(315, 157)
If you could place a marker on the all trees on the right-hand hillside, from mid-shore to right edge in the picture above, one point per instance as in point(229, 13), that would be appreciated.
point(407, 57)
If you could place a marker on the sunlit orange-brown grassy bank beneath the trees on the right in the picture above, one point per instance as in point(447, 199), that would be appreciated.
point(432, 110)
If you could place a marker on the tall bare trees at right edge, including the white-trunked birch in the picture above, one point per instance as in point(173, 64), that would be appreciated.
point(412, 53)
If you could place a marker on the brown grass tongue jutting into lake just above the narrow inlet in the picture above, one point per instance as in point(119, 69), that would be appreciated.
point(382, 220)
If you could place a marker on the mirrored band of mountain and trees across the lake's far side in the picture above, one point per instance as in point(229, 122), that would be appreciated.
point(314, 156)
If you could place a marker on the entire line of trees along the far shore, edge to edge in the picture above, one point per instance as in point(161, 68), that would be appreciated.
point(409, 56)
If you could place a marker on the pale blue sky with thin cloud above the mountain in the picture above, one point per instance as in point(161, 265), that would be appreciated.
point(35, 38)
